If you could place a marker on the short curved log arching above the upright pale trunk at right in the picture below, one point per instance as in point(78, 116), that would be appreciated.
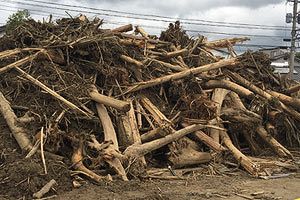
point(226, 84)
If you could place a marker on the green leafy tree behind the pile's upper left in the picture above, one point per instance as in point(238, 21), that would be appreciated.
point(16, 20)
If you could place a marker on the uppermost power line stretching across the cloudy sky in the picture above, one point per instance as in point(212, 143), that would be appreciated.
point(157, 16)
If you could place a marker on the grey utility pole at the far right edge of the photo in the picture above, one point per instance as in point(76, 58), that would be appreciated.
point(293, 41)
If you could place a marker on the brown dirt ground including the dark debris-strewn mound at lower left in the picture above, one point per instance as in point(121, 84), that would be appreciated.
point(20, 178)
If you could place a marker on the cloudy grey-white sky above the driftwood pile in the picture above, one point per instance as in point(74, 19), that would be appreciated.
point(213, 19)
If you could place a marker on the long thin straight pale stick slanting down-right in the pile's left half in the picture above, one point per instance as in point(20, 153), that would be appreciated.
point(51, 92)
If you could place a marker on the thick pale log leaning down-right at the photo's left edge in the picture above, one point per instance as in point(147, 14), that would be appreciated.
point(19, 132)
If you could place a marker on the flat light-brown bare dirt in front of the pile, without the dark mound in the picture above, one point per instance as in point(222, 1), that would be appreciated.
point(232, 188)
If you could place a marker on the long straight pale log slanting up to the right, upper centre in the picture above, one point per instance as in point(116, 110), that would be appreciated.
point(183, 74)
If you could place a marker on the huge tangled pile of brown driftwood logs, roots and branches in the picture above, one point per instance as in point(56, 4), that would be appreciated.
point(113, 100)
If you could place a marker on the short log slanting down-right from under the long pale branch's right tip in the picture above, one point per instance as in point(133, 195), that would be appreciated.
point(208, 141)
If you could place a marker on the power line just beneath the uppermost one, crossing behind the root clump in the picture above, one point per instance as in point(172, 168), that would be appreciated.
point(140, 18)
